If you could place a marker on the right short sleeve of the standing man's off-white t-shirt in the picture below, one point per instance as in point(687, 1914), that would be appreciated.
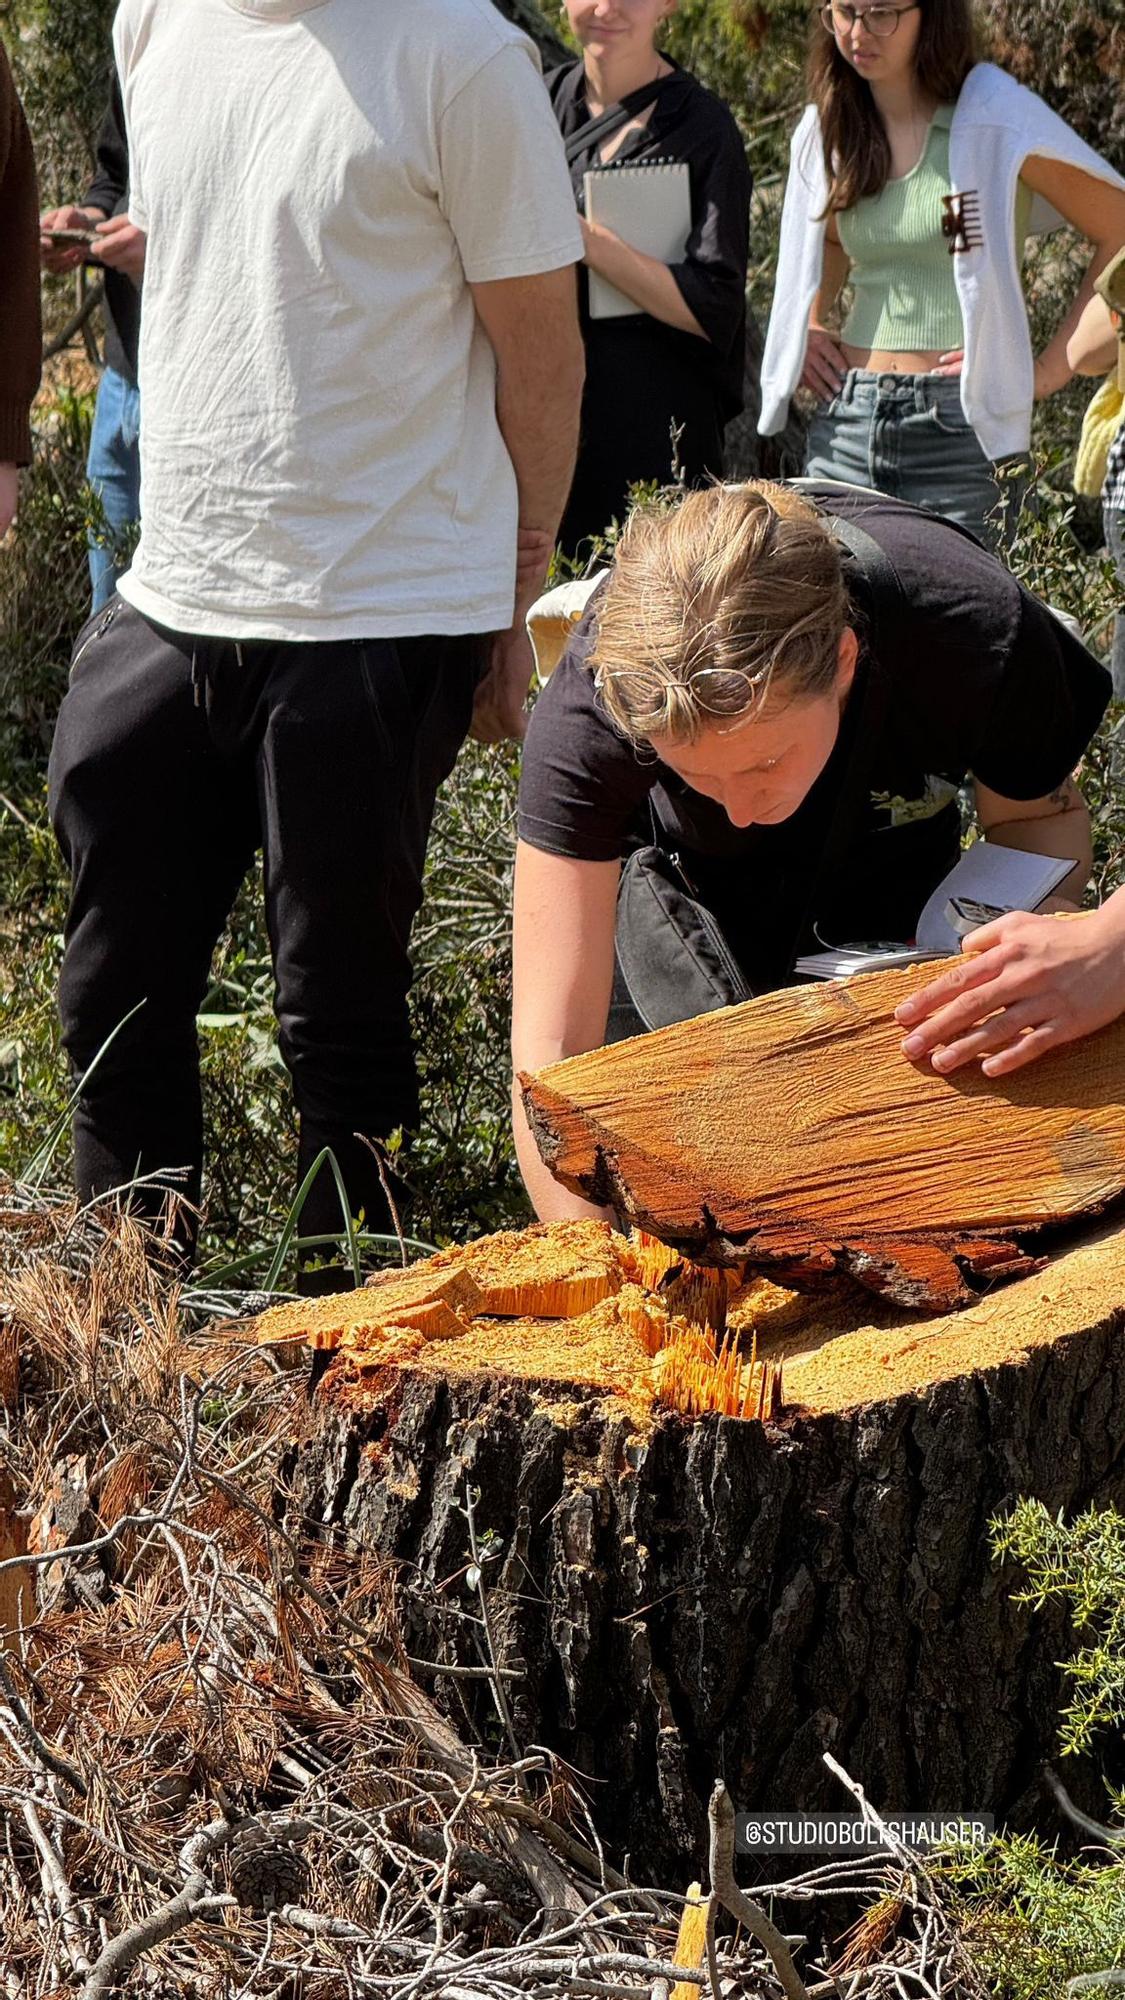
point(505, 189)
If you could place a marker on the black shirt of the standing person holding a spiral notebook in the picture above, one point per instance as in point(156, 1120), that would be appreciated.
point(690, 125)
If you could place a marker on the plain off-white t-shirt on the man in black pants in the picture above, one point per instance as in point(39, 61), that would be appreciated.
point(319, 445)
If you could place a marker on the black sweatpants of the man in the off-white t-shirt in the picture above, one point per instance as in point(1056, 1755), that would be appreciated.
point(173, 763)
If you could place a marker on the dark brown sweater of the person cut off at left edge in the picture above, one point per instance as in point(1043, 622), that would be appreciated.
point(21, 329)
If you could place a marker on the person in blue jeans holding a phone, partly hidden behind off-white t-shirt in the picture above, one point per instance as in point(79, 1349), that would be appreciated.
point(115, 453)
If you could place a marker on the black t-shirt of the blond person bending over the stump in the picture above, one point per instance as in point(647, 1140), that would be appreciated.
point(980, 681)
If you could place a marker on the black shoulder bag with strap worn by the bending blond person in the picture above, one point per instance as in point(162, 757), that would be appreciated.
point(672, 955)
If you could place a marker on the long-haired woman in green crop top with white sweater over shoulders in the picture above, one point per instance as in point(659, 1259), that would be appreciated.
point(916, 177)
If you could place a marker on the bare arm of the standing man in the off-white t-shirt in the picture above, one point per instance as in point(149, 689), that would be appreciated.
point(533, 325)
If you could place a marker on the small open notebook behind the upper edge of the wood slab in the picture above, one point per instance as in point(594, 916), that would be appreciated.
point(986, 873)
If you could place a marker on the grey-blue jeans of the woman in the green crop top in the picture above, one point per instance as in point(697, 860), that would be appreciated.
point(910, 439)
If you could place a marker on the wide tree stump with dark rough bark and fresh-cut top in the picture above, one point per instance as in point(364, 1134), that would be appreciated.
point(690, 1597)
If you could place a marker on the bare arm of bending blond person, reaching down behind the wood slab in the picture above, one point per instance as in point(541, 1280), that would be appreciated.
point(564, 927)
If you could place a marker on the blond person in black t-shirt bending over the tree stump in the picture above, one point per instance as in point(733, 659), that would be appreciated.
point(756, 743)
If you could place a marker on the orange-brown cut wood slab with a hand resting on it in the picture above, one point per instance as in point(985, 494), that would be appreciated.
point(790, 1133)
